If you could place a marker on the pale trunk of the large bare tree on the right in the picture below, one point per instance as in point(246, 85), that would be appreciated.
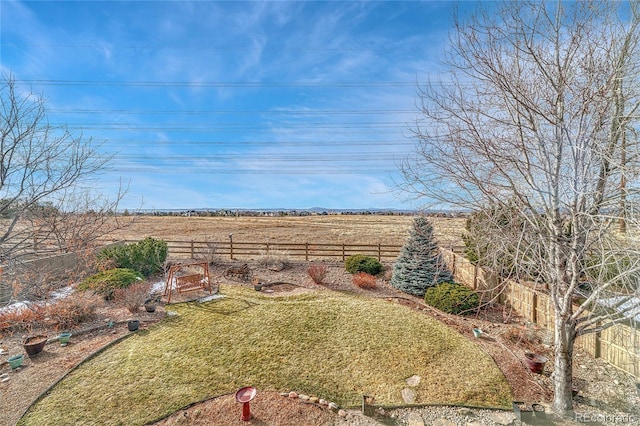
point(563, 368)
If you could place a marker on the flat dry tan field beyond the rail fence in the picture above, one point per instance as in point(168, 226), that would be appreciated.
point(363, 229)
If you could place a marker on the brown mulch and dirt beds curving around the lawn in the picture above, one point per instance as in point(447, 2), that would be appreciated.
point(602, 388)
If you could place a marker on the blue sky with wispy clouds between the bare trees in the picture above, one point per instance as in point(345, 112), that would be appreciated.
point(234, 104)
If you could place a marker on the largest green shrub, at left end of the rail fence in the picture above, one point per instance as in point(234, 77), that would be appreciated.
point(146, 256)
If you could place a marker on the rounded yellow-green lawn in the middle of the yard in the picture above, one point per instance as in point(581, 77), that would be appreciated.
point(328, 344)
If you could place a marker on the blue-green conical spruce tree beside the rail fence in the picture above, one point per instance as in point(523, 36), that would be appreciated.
point(420, 264)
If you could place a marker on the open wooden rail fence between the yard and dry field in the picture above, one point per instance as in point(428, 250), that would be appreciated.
point(247, 250)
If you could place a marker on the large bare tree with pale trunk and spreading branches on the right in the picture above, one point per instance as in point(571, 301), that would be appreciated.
point(537, 114)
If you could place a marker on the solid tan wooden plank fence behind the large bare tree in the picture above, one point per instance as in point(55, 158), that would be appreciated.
point(619, 345)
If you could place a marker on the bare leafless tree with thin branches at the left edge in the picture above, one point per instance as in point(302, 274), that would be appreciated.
point(44, 171)
